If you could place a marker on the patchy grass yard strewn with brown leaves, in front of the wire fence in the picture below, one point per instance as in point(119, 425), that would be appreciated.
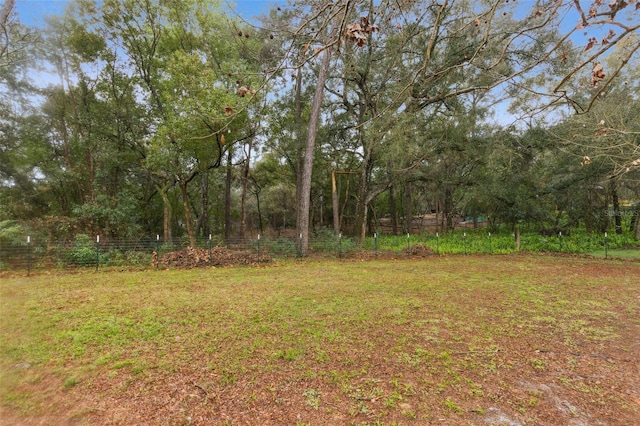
point(514, 339)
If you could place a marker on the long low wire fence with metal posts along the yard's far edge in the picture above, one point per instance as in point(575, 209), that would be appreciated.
point(33, 255)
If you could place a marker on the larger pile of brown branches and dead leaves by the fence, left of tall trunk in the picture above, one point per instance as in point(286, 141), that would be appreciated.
point(216, 256)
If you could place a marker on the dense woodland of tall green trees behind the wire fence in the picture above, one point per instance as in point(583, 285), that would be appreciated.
point(128, 118)
